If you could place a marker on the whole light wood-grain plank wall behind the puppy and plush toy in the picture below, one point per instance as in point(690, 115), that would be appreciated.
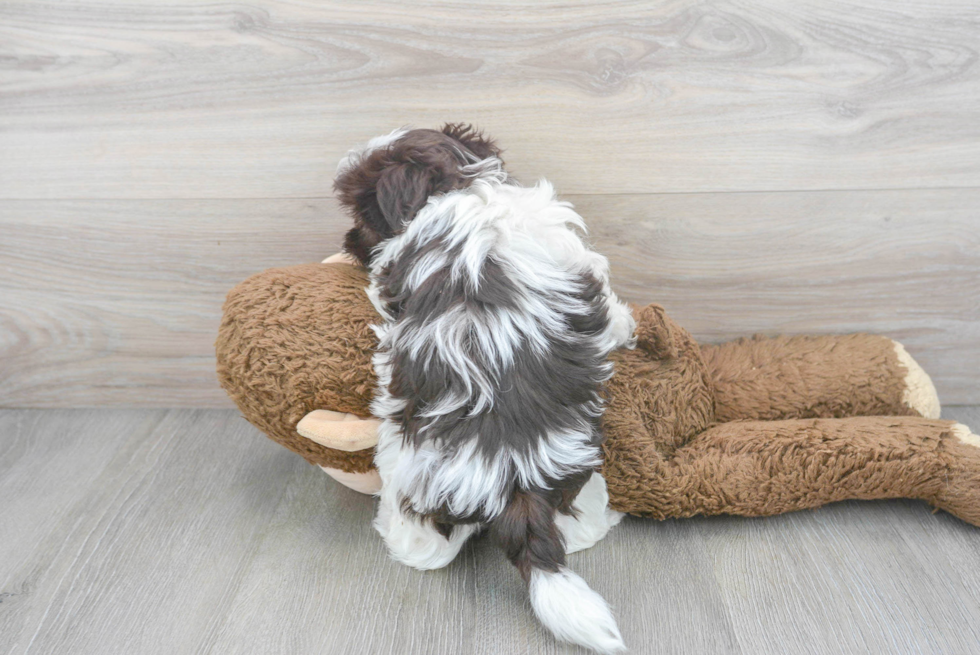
point(780, 167)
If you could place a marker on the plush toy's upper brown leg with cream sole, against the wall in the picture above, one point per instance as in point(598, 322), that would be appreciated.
point(820, 377)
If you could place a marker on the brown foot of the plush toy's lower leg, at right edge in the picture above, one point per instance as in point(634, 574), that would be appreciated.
point(960, 495)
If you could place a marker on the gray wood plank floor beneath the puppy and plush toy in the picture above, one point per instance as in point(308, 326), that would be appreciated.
point(186, 531)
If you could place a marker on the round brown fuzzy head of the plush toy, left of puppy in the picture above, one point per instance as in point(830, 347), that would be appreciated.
point(298, 339)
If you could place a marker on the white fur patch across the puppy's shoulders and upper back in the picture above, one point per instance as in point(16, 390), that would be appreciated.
point(535, 238)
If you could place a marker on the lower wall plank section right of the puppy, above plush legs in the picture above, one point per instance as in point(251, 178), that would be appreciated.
point(905, 264)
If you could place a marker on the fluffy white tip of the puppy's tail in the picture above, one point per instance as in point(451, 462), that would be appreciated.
point(573, 612)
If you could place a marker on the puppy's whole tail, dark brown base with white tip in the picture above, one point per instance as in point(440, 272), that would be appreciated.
point(562, 600)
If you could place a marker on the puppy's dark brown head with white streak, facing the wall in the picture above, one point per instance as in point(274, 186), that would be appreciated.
point(386, 183)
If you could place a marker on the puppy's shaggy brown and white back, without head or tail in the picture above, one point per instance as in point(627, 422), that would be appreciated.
point(496, 349)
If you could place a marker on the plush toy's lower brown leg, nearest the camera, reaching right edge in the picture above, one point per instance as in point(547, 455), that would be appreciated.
point(754, 468)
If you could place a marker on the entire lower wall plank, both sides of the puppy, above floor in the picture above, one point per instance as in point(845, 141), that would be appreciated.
point(118, 302)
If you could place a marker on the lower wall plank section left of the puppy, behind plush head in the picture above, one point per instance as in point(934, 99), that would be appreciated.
point(118, 303)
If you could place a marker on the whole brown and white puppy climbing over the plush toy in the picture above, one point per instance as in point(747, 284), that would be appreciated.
point(497, 323)
